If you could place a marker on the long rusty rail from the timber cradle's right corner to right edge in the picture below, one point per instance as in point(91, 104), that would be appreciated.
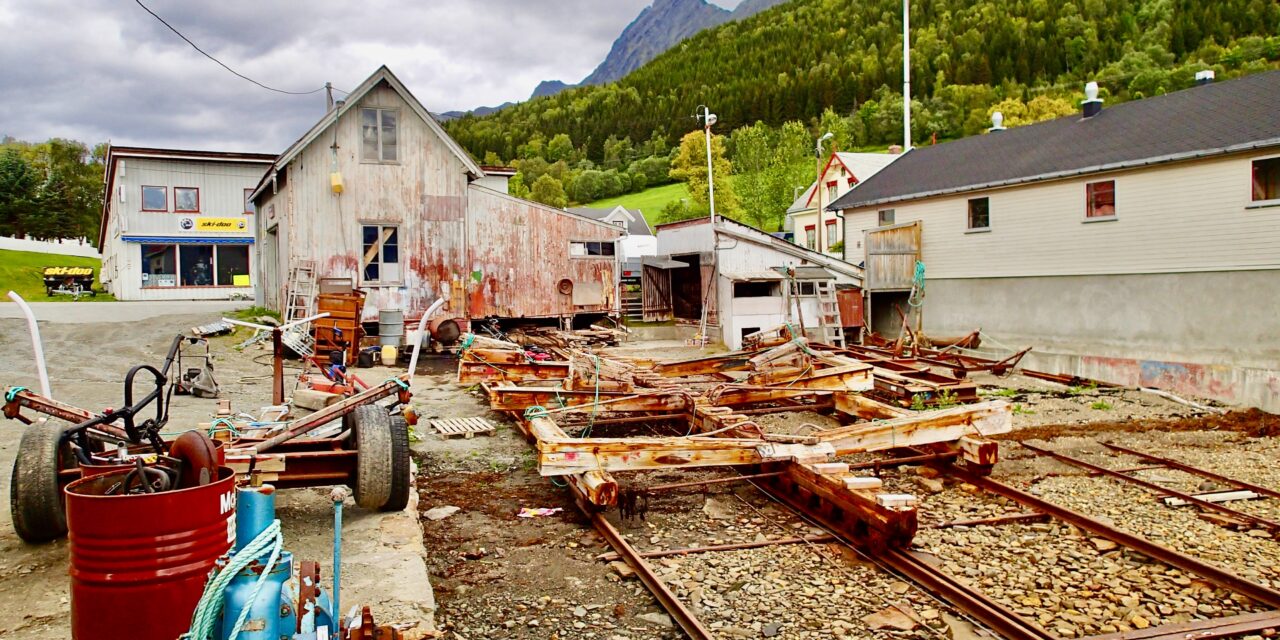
point(1212, 573)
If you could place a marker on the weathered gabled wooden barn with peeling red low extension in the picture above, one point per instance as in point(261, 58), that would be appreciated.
point(380, 194)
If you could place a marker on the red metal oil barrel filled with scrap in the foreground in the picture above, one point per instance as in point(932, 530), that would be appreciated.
point(140, 563)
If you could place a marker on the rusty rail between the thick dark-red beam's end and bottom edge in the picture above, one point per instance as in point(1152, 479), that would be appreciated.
point(996, 616)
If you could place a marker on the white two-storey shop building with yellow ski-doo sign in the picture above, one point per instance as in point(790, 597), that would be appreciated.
point(179, 225)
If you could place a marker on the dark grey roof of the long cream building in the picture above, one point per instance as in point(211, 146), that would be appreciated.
point(1212, 120)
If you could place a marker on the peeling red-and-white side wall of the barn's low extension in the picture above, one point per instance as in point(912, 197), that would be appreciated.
point(519, 254)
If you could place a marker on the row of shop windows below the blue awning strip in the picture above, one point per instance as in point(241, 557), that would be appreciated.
point(195, 266)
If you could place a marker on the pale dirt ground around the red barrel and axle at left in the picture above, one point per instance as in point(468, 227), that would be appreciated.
point(383, 556)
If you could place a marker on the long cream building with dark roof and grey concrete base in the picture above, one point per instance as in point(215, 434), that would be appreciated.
point(1136, 244)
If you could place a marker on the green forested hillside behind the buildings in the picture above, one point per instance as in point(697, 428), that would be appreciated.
point(793, 62)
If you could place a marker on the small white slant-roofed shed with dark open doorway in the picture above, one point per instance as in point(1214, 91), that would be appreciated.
point(737, 275)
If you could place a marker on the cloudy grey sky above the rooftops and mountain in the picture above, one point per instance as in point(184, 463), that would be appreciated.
point(108, 71)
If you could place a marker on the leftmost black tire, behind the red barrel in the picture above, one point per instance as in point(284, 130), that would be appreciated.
point(36, 499)
